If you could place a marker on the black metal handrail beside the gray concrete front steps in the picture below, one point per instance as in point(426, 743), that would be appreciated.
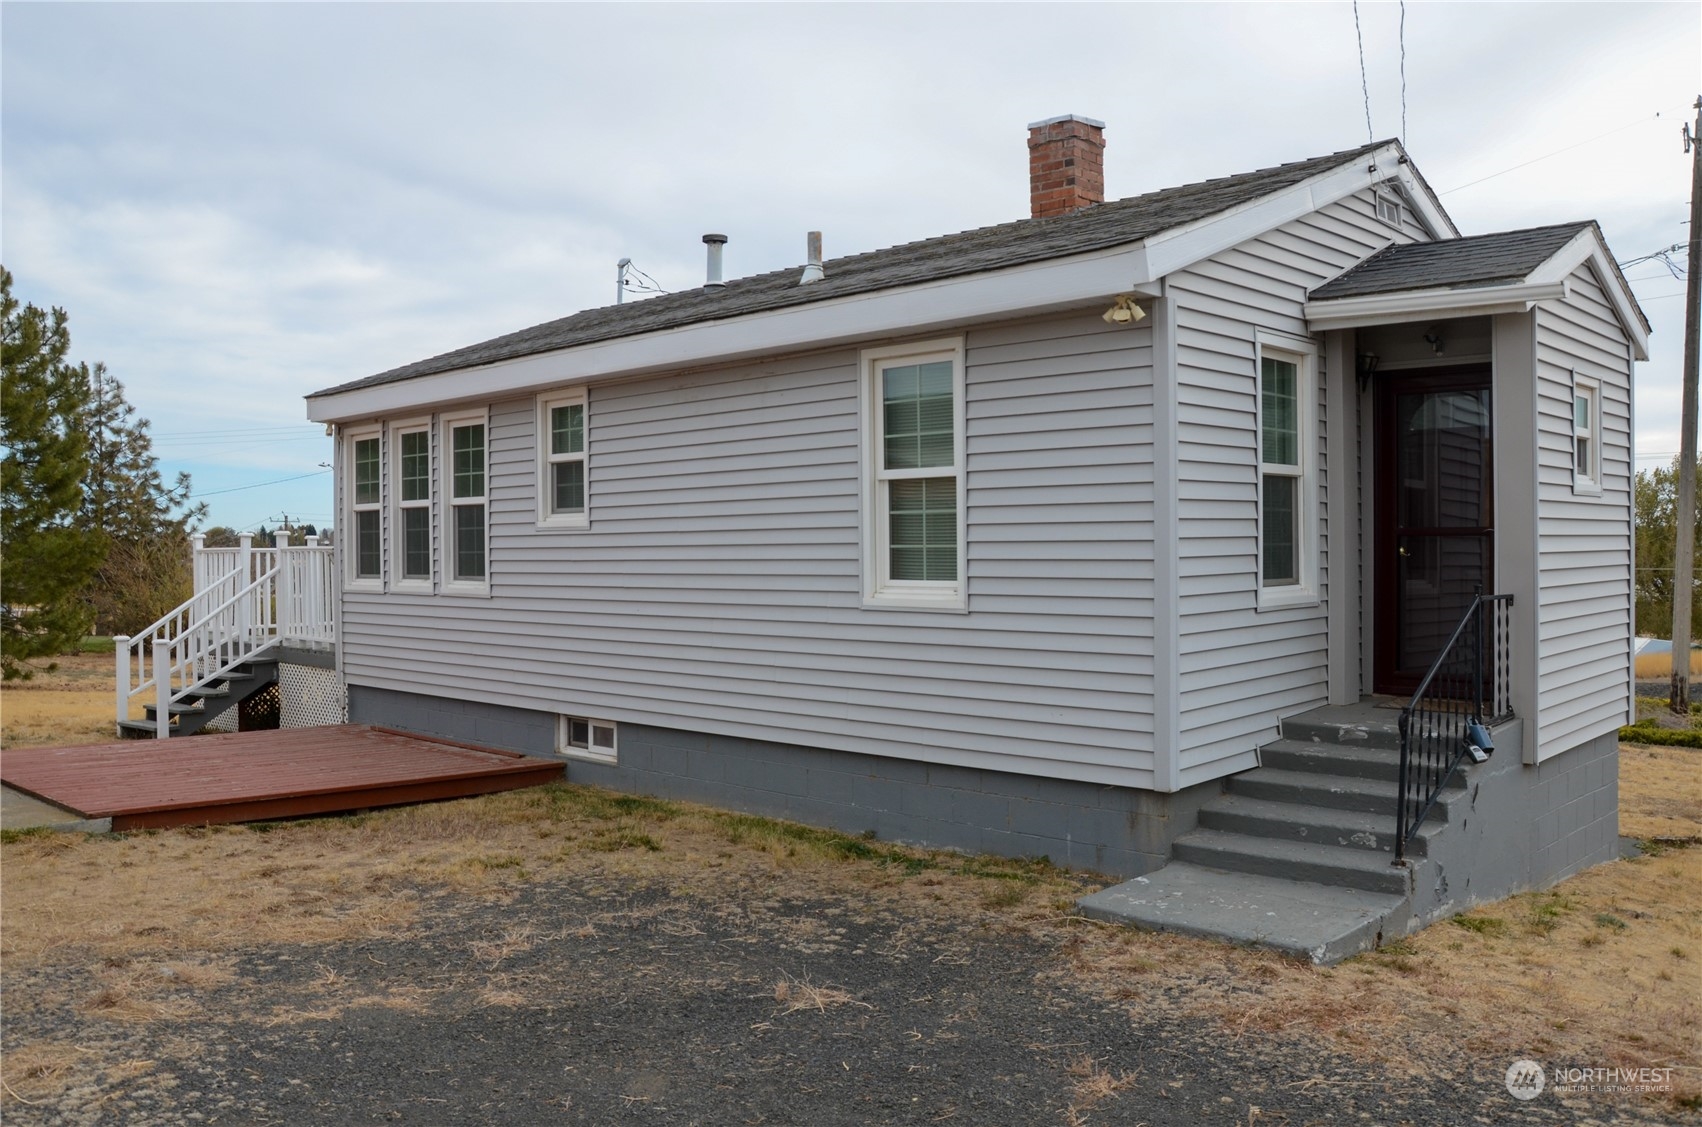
point(1468, 689)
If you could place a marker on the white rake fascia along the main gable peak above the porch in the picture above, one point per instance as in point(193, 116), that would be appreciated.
point(1192, 243)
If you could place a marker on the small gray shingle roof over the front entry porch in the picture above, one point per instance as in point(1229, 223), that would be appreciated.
point(1453, 265)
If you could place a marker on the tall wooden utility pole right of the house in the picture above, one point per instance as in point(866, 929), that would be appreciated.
point(1686, 539)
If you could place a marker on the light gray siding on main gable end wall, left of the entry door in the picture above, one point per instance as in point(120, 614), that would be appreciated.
point(1243, 668)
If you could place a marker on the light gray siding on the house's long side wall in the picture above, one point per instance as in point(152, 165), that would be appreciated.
point(721, 585)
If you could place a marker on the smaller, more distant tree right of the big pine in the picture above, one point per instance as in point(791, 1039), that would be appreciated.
point(142, 520)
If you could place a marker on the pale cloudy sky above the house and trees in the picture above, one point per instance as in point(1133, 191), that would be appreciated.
point(246, 203)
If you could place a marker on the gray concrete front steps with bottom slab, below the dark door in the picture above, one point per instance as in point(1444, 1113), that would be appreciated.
point(1296, 855)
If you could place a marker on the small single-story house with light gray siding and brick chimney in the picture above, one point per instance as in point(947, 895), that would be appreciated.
point(1100, 535)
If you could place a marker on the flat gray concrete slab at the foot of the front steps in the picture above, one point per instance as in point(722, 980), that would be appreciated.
point(1311, 922)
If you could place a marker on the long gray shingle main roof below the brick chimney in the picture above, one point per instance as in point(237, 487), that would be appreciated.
point(971, 253)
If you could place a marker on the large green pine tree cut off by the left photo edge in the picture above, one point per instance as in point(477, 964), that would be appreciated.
point(47, 558)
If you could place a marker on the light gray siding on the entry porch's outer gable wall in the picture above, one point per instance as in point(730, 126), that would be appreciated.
point(1584, 537)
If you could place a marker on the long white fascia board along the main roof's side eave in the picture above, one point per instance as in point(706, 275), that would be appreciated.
point(1032, 289)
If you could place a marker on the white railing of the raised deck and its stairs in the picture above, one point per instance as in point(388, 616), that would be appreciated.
point(246, 602)
